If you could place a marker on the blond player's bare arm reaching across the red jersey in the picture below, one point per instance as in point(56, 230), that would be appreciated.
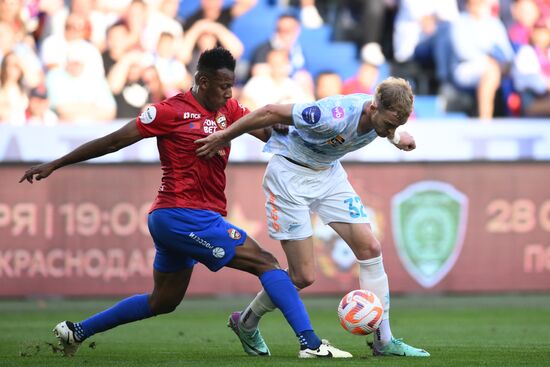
point(266, 116)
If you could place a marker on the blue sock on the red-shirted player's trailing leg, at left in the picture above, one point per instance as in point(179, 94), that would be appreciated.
point(130, 309)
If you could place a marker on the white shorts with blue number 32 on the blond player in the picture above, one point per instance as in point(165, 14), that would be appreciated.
point(293, 191)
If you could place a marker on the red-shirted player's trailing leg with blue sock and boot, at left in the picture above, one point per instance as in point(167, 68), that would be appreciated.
point(169, 290)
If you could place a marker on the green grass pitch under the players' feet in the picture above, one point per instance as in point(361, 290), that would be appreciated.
point(509, 330)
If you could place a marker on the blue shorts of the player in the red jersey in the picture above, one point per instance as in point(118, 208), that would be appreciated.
point(184, 237)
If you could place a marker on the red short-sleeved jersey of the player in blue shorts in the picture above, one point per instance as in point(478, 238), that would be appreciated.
point(187, 180)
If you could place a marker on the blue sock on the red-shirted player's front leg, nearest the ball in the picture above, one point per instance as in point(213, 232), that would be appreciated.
point(284, 295)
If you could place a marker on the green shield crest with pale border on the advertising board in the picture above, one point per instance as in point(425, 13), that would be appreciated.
point(429, 222)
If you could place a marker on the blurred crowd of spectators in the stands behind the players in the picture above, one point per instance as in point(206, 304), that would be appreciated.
point(81, 61)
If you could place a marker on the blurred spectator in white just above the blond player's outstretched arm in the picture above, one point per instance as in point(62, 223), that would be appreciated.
point(275, 87)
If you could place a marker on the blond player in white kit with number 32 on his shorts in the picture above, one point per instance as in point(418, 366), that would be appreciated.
point(305, 175)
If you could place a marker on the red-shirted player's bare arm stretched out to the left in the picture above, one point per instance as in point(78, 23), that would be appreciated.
point(126, 135)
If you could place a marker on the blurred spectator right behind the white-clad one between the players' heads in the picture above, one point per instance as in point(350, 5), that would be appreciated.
point(284, 38)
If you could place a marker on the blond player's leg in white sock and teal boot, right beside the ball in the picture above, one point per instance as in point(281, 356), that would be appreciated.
point(373, 277)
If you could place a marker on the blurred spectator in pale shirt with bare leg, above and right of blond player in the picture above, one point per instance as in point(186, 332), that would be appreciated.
point(480, 60)
